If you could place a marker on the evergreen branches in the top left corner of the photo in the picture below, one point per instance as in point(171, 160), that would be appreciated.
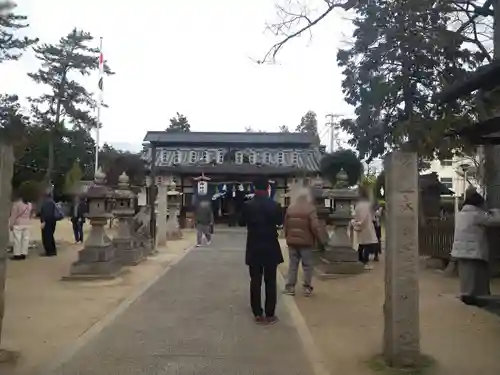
point(11, 45)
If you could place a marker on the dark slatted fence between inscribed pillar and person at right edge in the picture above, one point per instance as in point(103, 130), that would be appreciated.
point(435, 237)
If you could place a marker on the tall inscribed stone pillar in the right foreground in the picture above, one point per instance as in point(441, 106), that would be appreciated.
point(401, 307)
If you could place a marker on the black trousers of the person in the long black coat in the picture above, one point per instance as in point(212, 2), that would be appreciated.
point(268, 272)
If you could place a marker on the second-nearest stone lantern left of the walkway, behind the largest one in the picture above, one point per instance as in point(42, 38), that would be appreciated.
point(127, 247)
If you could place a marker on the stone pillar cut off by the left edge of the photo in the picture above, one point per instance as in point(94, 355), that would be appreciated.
point(6, 170)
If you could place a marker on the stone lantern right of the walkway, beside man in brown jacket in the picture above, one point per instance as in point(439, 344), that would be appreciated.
point(339, 256)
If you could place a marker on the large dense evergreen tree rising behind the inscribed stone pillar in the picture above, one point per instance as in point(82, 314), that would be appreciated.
point(402, 55)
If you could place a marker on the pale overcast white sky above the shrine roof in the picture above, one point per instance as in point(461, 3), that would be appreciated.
point(192, 57)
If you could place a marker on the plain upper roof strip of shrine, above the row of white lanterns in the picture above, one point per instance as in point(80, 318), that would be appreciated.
point(222, 137)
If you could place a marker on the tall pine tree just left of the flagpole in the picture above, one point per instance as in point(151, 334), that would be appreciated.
point(67, 101)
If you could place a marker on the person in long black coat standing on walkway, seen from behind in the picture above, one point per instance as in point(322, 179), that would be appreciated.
point(262, 216)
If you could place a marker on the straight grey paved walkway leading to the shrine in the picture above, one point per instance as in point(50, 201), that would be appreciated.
point(195, 321)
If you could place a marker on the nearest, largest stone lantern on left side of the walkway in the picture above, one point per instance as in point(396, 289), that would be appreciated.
point(97, 259)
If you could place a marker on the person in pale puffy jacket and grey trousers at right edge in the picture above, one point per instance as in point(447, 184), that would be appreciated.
point(470, 247)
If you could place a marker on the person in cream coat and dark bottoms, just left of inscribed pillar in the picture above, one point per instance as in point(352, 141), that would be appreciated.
point(362, 224)
